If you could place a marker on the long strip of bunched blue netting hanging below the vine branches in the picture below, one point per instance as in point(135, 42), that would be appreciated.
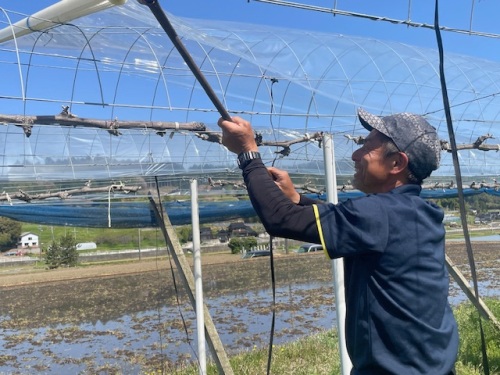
point(141, 215)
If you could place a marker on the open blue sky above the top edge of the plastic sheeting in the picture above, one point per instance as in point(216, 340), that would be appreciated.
point(453, 13)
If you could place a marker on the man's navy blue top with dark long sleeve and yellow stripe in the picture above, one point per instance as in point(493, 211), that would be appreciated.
point(398, 319)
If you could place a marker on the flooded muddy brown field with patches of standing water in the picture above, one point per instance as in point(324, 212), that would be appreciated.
point(117, 325)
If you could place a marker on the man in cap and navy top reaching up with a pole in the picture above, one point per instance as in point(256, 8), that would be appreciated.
point(398, 320)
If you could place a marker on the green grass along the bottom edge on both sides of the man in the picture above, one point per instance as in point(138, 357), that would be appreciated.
point(318, 354)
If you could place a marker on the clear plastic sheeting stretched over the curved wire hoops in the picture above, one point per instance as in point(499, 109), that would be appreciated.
point(119, 64)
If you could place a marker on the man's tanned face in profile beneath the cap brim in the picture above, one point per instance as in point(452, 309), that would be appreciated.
point(371, 169)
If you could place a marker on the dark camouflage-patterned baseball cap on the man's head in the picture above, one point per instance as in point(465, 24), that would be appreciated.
point(413, 135)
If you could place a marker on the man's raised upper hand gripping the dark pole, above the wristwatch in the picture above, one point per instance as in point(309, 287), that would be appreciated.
point(238, 135)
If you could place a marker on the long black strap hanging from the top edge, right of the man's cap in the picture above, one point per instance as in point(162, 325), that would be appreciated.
point(458, 175)
